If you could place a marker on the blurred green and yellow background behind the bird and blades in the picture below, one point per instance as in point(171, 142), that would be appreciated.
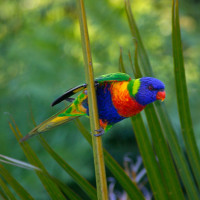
point(41, 57)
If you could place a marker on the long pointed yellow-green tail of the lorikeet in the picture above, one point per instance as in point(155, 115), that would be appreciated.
point(61, 117)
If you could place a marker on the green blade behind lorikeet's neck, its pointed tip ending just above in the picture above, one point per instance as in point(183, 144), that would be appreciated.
point(162, 151)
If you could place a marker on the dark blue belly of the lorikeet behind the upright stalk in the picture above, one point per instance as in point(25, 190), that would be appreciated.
point(106, 109)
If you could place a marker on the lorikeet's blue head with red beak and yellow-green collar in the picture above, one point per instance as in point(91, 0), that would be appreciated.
point(146, 90)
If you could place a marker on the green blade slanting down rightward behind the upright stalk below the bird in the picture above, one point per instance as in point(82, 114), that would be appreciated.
point(124, 180)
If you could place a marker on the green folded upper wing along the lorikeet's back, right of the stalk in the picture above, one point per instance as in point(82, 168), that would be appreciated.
point(113, 77)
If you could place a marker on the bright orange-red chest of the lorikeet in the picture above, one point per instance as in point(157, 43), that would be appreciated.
point(125, 105)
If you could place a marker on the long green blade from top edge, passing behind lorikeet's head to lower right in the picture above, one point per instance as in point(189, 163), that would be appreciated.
point(168, 129)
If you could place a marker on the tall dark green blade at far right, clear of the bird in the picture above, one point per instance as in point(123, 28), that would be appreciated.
point(182, 95)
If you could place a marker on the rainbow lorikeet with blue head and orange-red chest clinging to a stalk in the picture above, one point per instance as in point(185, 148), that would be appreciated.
point(118, 97)
